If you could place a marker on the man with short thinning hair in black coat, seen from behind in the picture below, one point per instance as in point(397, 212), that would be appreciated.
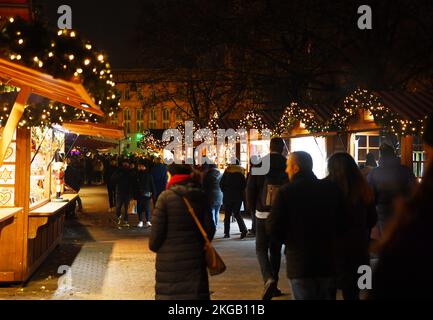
point(305, 216)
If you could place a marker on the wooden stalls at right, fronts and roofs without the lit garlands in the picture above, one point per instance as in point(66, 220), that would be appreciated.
point(363, 133)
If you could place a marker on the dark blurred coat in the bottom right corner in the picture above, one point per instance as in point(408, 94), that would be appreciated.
point(404, 271)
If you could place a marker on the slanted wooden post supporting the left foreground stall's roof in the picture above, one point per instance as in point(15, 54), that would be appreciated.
point(13, 120)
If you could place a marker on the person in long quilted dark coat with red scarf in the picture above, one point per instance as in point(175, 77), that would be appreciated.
point(181, 270)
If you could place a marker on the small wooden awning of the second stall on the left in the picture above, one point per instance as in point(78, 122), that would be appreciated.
point(95, 130)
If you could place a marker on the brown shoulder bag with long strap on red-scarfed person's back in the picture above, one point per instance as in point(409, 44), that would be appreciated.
point(215, 263)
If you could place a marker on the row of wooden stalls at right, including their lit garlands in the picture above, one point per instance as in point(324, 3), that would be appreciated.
point(363, 122)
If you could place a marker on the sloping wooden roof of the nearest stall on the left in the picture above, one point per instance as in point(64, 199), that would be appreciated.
point(67, 92)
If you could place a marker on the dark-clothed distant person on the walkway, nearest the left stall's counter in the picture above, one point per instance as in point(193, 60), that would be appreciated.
point(123, 181)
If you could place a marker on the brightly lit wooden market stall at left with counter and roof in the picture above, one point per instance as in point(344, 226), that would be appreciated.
point(31, 221)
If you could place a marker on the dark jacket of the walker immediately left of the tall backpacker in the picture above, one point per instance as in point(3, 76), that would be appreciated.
point(233, 184)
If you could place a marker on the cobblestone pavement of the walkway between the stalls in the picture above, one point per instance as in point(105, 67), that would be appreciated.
point(103, 263)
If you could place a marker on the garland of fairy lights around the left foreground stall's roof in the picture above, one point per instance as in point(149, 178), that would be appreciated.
point(62, 54)
